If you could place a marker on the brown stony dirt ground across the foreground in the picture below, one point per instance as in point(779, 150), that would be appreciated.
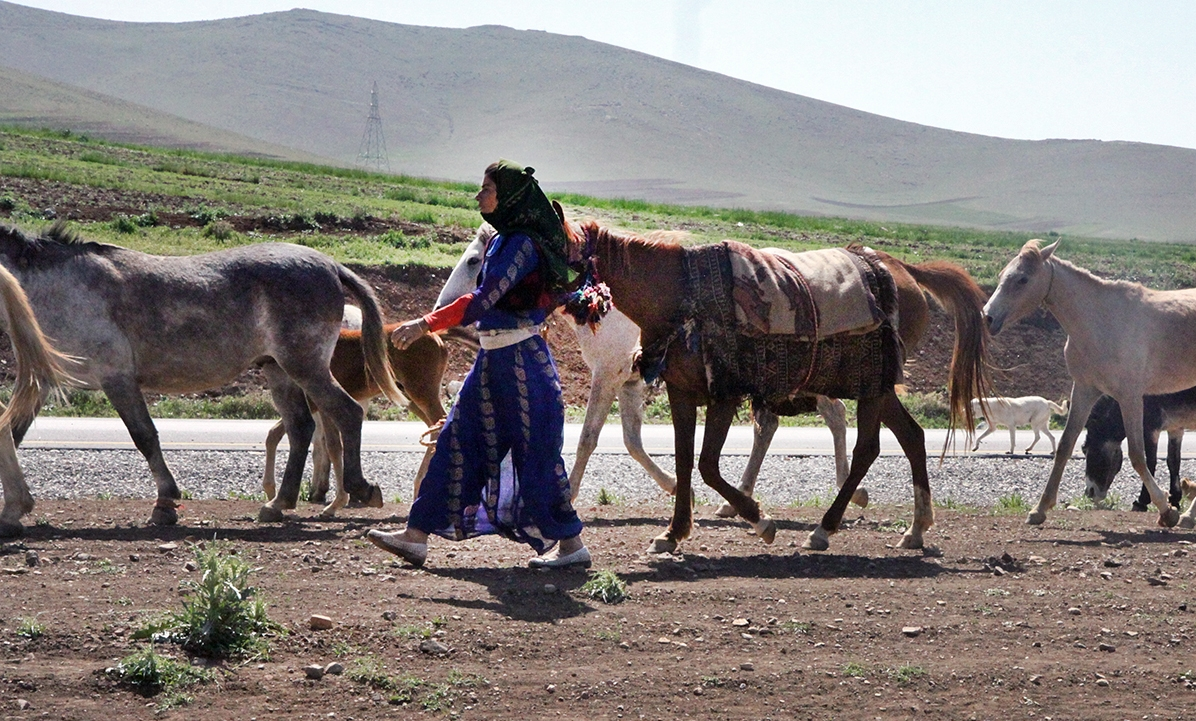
point(996, 620)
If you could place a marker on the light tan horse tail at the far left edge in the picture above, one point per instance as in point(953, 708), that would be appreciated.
point(40, 366)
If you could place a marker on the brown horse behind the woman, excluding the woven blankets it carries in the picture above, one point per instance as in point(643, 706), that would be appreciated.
point(648, 283)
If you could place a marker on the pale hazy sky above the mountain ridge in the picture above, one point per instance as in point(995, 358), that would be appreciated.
point(1015, 69)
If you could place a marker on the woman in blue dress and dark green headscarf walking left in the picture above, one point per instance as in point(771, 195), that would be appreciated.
point(511, 400)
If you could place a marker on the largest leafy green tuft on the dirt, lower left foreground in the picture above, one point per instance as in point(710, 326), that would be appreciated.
point(222, 616)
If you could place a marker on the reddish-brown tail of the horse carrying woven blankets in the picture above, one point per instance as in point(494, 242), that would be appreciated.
point(960, 295)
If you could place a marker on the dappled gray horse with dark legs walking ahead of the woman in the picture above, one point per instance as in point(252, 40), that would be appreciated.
point(180, 325)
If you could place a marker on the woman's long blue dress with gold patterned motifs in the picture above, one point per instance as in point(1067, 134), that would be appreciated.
point(511, 401)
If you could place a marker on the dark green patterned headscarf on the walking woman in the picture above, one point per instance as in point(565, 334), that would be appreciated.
point(524, 209)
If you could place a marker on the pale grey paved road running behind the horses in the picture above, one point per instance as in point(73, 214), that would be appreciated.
point(394, 436)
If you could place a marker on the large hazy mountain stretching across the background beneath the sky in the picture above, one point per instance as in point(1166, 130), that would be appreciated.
point(601, 120)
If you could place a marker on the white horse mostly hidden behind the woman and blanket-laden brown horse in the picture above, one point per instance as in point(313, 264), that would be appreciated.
point(611, 352)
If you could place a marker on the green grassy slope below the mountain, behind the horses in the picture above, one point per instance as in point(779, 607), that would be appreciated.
point(216, 187)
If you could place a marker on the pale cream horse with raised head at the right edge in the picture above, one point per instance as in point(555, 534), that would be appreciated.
point(1124, 340)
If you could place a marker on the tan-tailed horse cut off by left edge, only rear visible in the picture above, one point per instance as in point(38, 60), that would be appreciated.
point(39, 368)
